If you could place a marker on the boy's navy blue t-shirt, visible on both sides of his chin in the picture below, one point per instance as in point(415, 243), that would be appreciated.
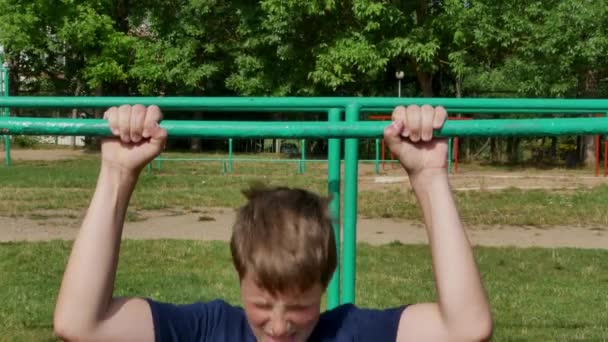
point(219, 321)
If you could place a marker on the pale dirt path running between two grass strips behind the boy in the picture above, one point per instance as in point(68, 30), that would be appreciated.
point(215, 225)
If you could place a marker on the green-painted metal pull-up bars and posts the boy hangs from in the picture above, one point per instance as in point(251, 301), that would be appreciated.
point(342, 286)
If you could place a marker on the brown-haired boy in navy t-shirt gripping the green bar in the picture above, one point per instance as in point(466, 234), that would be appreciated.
point(283, 250)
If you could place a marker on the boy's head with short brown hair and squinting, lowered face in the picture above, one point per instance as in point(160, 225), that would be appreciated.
point(284, 251)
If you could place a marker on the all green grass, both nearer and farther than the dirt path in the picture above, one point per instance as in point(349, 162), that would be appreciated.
point(536, 294)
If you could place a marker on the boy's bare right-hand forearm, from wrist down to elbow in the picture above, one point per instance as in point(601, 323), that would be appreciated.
point(462, 299)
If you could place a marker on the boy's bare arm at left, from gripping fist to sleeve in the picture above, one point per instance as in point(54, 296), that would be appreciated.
point(85, 308)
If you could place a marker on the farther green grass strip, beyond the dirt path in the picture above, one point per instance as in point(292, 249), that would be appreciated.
point(31, 189)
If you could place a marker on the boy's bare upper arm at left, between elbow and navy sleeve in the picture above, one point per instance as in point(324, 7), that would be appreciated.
point(127, 319)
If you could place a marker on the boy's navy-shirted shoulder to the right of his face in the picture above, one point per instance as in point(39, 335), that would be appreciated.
point(350, 323)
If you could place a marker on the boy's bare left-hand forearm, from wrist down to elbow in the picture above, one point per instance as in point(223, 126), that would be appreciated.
point(86, 289)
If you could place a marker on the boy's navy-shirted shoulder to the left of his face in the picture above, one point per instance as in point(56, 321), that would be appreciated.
point(215, 320)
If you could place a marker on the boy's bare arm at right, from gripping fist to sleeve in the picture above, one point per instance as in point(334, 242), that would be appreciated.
point(462, 312)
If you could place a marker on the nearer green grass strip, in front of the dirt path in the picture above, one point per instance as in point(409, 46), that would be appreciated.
point(536, 294)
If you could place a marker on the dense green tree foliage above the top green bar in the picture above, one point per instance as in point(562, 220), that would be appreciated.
point(320, 47)
